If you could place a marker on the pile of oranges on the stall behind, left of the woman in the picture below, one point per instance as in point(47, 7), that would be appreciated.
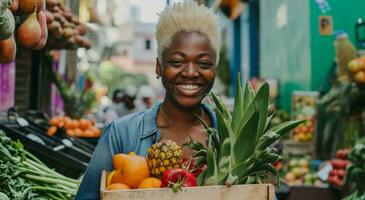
point(73, 127)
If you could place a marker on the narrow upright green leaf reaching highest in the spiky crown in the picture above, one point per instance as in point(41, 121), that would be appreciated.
point(238, 105)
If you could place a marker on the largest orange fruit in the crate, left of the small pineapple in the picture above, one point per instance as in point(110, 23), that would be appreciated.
point(130, 169)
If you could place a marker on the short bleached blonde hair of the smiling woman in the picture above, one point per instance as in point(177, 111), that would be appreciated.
point(187, 16)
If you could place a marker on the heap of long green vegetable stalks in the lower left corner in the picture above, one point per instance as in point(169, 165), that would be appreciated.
point(23, 176)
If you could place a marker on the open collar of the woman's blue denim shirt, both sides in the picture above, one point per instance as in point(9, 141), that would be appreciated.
point(150, 119)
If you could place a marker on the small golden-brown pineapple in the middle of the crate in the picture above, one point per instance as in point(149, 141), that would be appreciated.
point(163, 156)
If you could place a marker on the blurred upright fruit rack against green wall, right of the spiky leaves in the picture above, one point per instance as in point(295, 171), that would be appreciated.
point(304, 108)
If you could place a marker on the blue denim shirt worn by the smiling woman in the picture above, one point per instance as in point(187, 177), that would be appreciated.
point(135, 132)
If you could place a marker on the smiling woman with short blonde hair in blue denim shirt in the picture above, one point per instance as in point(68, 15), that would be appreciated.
point(188, 40)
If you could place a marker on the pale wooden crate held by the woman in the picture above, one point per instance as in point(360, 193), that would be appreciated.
point(235, 192)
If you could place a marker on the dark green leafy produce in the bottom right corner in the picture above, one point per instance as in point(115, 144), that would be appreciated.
point(355, 173)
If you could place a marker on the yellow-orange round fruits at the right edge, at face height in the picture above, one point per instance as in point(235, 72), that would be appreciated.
point(357, 70)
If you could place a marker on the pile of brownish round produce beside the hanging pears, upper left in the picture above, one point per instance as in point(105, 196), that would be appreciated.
point(66, 31)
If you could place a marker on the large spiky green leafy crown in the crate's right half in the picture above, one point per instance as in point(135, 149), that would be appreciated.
point(239, 151)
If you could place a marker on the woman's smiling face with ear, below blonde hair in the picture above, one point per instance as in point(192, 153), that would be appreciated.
point(188, 69)
